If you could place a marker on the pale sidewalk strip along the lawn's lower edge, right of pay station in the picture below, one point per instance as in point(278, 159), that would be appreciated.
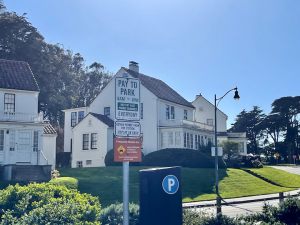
point(258, 198)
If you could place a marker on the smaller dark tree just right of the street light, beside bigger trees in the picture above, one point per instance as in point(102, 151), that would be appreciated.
point(249, 122)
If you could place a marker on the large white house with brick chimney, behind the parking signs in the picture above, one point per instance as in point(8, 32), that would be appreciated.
point(167, 121)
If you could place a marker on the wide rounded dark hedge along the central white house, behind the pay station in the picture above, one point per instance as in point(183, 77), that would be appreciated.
point(180, 157)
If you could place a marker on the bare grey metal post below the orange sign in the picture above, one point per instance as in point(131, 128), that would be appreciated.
point(125, 193)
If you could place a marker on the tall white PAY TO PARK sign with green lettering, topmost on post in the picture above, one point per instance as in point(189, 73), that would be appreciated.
point(127, 98)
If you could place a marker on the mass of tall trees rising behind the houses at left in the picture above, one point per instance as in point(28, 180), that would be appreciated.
point(64, 79)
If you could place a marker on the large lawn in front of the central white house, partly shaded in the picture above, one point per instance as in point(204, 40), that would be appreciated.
point(197, 184)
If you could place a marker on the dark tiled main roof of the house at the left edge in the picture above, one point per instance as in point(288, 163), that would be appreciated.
point(17, 75)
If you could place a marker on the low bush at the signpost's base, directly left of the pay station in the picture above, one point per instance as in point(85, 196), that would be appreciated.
point(113, 214)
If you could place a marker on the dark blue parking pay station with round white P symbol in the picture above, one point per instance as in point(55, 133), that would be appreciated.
point(160, 196)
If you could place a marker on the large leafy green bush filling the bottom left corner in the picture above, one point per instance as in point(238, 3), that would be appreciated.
point(47, 204)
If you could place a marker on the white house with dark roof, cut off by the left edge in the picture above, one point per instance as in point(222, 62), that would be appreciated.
point(26, 141)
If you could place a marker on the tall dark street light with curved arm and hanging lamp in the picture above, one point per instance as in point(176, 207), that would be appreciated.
point(217, 101)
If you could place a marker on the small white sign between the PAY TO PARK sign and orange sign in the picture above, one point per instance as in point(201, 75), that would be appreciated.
point(127, 129)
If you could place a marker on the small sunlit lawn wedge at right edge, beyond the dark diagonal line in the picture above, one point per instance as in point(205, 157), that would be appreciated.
point(279, 177)
